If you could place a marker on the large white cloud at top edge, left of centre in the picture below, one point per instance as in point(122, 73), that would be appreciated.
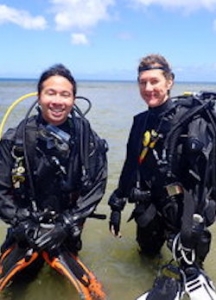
point(81, 14)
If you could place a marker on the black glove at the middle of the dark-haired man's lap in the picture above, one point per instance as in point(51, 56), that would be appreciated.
point(51, 238)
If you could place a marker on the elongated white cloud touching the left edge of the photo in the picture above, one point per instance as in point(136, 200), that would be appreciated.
point(21, 18)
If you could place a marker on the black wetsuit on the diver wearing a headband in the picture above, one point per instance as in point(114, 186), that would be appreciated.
point(160, 215)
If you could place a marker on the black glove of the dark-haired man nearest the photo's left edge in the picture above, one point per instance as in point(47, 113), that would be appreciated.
point(25, 232)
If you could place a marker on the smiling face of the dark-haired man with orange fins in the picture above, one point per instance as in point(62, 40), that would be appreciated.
point(56, 99)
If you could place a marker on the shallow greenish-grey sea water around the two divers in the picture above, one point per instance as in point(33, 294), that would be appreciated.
point(116, 262)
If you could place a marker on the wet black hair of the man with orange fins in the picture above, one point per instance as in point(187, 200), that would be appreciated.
point(60, 70)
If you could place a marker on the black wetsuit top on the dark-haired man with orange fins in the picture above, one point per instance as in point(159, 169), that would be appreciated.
point(59, 182)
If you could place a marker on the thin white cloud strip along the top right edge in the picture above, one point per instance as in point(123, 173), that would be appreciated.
point(187, 5)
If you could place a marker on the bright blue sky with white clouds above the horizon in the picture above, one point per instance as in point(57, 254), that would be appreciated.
point(105, 39)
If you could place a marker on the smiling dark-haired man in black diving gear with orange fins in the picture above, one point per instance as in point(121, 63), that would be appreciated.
point(53, 176)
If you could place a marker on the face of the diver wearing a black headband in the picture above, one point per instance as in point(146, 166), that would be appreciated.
point(154, 87)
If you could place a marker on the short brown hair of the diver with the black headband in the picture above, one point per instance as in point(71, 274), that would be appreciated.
point(155, 61)
